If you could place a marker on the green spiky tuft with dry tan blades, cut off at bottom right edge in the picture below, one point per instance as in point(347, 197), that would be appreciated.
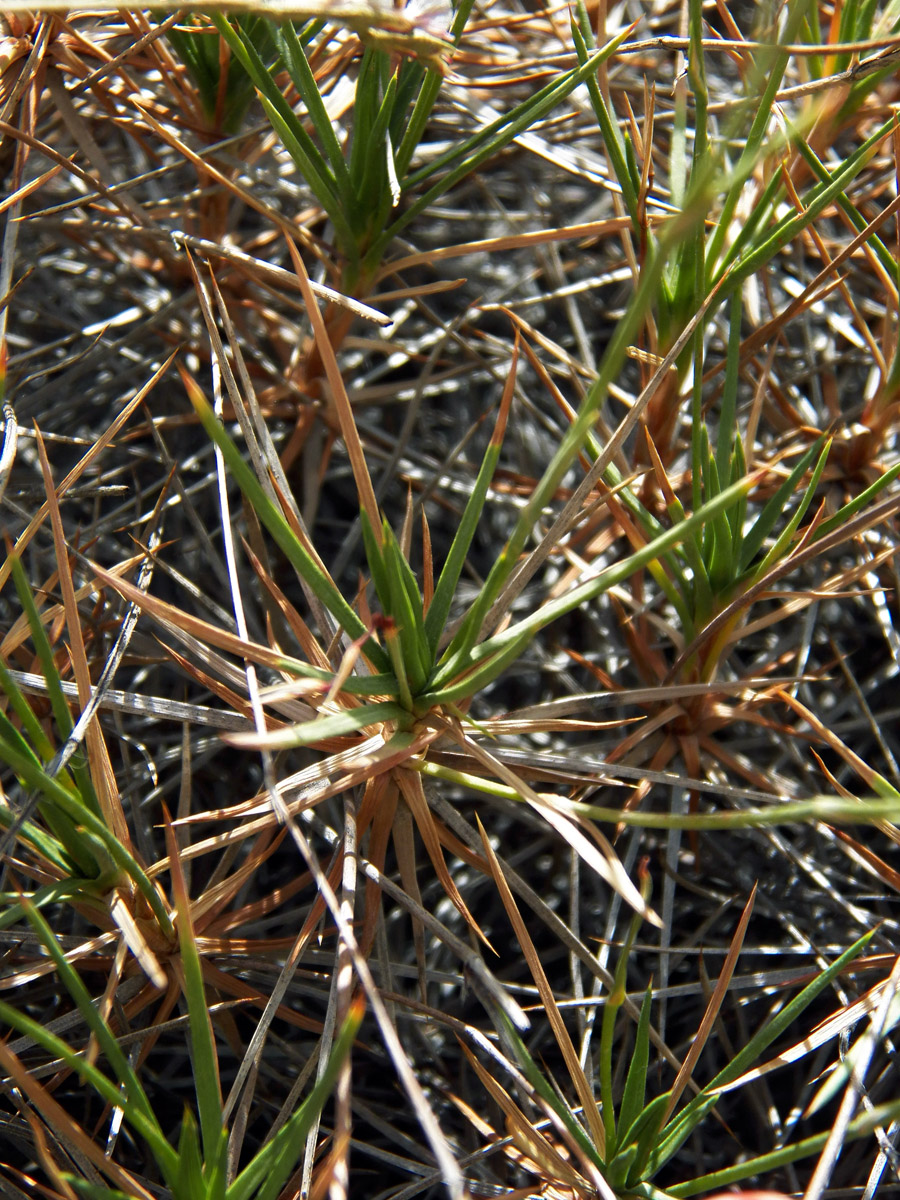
point(619, 1143)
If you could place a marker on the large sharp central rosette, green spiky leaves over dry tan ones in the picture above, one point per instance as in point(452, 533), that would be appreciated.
point(397, 694)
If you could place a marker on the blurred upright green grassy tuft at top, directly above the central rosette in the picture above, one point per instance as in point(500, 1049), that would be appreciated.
point(361, 185)
